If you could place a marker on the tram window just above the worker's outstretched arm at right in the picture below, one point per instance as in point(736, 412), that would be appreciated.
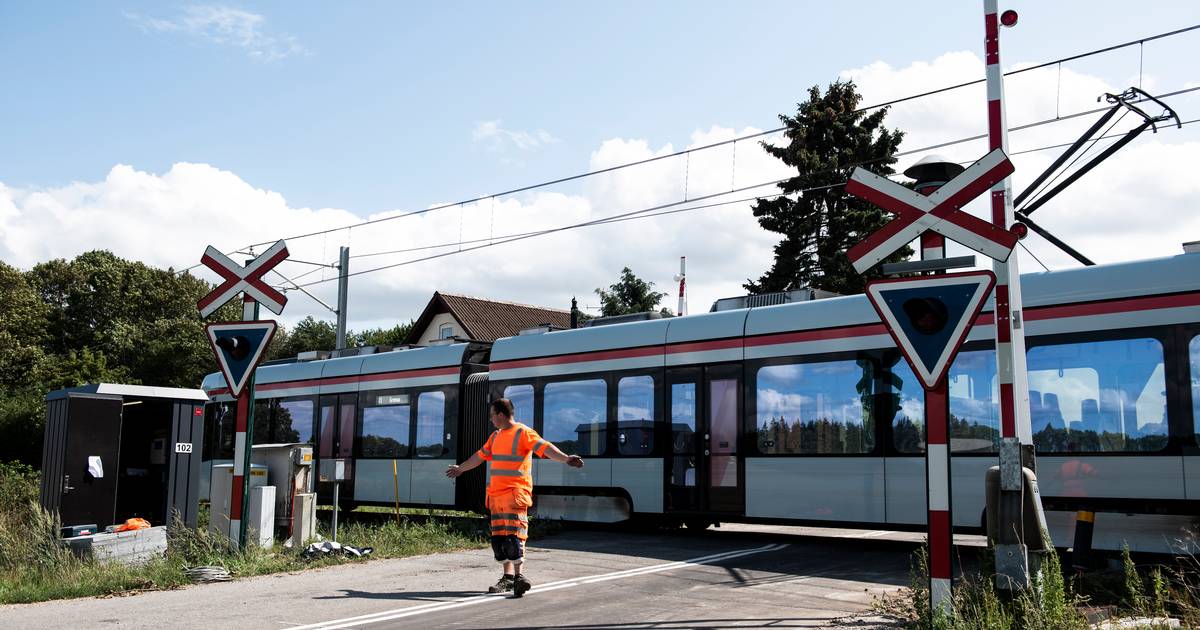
point(575, 416)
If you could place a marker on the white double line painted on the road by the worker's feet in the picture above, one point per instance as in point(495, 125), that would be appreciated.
point(437, 607)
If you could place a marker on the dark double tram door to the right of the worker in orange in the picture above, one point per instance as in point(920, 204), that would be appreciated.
point(704, 406)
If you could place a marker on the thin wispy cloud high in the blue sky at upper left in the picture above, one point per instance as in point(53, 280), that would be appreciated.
point(225, 27)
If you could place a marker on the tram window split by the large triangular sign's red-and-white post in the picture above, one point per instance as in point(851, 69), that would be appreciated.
point(975, 410)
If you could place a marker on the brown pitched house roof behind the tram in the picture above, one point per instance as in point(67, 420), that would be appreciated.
point(488, 320)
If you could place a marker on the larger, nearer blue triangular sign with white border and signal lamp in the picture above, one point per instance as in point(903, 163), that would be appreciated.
point(929, 317)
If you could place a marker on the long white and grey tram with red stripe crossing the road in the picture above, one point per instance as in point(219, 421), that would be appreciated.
point(796, 413)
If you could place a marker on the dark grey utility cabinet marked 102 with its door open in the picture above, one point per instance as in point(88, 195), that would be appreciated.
point(118, 452)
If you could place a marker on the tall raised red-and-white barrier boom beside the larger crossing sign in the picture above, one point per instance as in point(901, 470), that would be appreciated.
point(1017, 439)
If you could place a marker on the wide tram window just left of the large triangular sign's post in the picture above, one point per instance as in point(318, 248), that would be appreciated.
point(817, 409)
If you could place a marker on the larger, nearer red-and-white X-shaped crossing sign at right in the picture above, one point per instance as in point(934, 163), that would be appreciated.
point(939, 213)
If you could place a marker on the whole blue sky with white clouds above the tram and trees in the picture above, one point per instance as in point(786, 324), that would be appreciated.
point(157, 129)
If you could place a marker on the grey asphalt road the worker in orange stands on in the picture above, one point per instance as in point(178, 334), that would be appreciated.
point(730, 578)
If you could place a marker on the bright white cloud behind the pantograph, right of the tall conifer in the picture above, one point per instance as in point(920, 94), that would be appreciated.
point(1115, 213)
